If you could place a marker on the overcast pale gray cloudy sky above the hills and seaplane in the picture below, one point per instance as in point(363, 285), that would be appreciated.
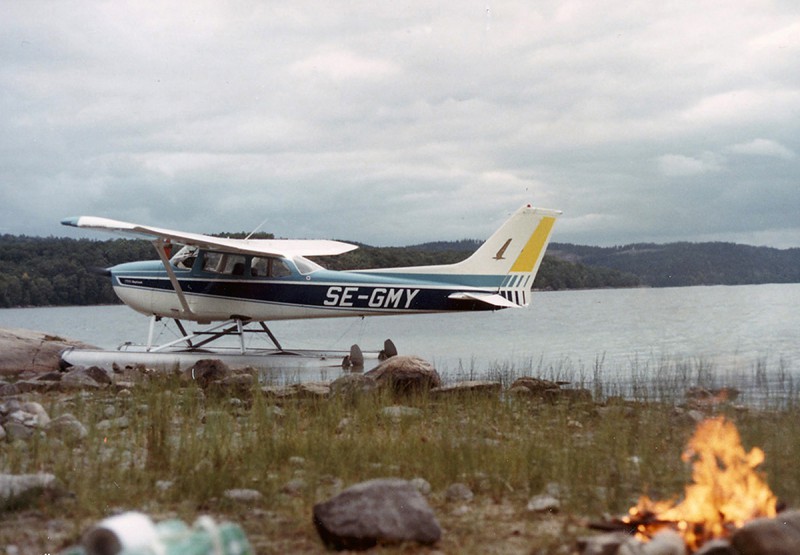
point(399, 123)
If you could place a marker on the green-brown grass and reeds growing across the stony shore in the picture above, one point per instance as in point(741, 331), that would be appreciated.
point(182, 449)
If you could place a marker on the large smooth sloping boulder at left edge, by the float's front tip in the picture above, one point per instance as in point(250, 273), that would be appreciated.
point(32, 352)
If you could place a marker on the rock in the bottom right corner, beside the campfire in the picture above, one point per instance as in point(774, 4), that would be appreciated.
point(773, 536)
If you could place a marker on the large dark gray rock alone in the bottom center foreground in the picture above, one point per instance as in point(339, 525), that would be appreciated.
point(381, 511)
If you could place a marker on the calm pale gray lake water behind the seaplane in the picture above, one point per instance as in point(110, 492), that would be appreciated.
point(726, 331)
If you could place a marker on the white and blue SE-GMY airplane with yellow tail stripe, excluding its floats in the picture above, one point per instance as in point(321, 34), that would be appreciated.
point(227, 284)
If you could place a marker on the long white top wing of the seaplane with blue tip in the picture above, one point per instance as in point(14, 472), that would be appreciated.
point(274, 247)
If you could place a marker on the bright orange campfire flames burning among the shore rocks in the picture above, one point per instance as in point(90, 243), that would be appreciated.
point(727, 491)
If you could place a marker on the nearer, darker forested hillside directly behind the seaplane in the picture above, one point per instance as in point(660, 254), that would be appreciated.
point(36, 271)
